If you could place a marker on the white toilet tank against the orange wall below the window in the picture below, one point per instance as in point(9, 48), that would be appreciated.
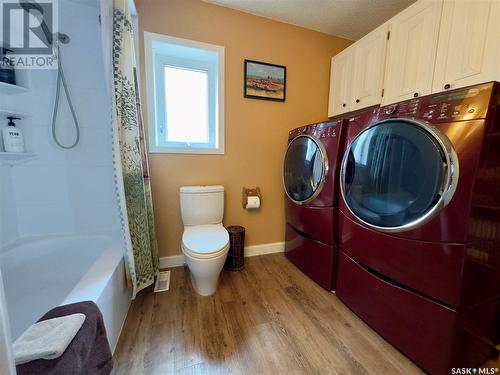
point(202, 205)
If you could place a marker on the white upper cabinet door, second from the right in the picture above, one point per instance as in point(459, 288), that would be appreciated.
point(412, 51)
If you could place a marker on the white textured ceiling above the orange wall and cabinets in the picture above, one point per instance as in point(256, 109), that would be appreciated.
point(350, 19)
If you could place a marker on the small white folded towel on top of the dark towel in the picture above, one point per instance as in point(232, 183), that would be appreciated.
point(47, 339)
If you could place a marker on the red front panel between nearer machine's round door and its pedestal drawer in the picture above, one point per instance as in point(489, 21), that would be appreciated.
point(433, 269)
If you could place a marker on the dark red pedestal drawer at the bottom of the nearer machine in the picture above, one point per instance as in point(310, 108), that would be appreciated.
point(427, 332)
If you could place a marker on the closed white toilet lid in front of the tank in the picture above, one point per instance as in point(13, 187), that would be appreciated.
point(205, 240)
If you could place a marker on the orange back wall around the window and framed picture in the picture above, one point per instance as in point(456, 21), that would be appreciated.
point(255, 130)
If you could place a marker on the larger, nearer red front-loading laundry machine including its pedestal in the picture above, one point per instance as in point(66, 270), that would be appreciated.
point(419, 225)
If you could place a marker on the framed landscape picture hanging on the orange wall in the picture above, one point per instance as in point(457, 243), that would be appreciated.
point(264, 81)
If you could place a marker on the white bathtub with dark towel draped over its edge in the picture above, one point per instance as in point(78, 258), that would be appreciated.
point(40, 274)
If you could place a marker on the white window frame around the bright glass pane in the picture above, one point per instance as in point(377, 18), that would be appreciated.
point(155, 62)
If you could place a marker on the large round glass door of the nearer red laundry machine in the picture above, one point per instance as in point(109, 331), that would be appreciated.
point(397, 174)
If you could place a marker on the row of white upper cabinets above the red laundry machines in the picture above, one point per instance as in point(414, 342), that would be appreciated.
point(433, 46)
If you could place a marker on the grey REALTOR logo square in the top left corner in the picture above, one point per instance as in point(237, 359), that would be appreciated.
point(28, 30)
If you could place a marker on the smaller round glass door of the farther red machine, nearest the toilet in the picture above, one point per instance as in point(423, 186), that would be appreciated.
point(304, 169)
